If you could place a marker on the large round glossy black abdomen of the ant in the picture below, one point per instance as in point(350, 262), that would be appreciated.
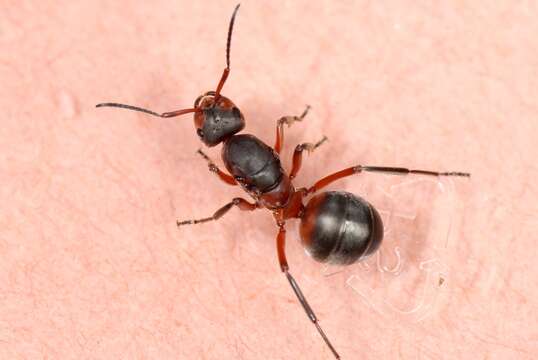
point(340, 228)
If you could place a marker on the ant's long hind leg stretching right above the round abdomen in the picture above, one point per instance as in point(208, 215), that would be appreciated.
point(381, 169)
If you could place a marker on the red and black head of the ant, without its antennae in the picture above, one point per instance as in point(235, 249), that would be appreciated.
point(217, 119)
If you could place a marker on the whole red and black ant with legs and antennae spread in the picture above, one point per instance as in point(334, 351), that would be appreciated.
point(336, 227)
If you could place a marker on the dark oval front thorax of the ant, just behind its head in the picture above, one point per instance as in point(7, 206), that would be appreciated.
point(247, 157)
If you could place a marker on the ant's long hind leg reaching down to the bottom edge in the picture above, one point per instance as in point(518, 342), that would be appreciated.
point(281, 243)
